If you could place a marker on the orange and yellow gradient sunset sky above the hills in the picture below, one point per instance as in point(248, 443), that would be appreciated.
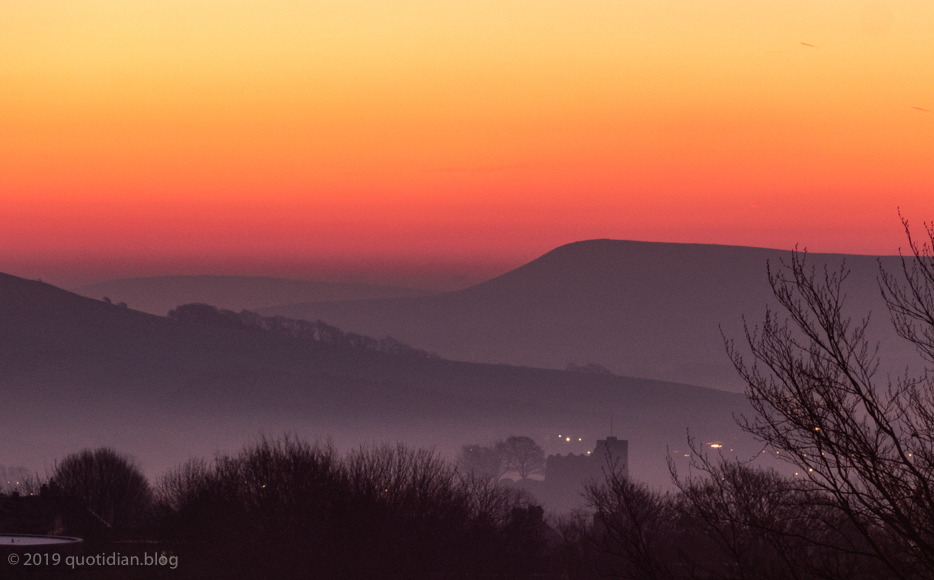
point(306, 138)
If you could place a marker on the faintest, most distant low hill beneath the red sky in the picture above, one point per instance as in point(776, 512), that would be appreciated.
point(158, 295)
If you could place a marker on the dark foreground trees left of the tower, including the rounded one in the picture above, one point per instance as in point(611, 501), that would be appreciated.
point(286, 508)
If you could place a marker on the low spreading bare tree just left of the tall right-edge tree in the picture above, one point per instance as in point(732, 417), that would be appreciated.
point(746, 522)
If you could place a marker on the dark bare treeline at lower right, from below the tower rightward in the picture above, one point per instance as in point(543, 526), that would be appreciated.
point(731, 522)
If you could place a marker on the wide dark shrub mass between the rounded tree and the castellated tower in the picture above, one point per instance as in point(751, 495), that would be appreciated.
point(287, 509)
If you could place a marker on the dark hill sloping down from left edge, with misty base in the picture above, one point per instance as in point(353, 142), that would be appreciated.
point(77, 372)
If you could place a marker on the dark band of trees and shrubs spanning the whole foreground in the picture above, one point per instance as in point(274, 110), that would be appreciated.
point(285, 508)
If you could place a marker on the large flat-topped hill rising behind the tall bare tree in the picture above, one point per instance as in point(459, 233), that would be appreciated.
point(637, 308)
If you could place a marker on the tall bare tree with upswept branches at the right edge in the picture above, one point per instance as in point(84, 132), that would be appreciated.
point(866, 446)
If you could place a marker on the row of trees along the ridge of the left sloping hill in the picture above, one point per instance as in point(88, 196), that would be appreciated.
point(317, 331)
